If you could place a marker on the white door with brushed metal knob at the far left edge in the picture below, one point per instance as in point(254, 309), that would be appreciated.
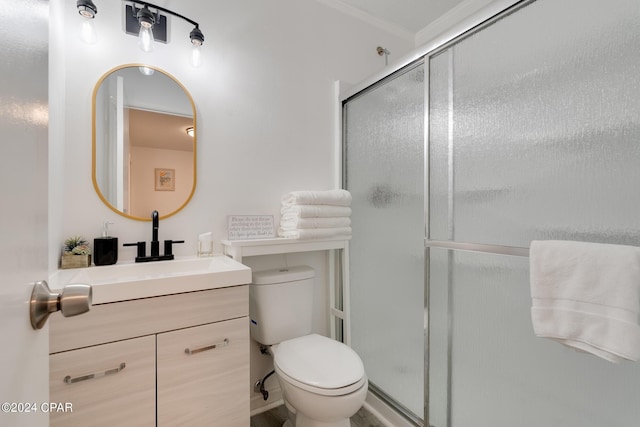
point(24, 366)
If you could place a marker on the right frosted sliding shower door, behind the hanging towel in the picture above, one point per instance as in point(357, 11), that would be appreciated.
point(534, 125)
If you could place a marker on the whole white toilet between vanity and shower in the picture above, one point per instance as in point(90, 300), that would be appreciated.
point(322, 380)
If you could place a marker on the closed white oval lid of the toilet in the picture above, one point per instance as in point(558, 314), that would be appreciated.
point(319, 362)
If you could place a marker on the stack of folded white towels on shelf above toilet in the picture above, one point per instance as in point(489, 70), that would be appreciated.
point(316, 215)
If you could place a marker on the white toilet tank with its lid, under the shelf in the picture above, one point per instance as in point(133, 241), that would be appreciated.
point(280, 304)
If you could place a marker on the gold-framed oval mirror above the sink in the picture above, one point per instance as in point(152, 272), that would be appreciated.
point(144, 142)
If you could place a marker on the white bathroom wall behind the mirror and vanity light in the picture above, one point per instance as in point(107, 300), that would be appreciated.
point(265, 102)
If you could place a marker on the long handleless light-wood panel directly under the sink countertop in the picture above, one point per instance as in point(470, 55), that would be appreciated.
point(135, 318)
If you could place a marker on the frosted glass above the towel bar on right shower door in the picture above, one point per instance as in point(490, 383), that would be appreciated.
point(545, 124)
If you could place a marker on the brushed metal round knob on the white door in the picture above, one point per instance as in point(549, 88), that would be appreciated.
point(73, 300)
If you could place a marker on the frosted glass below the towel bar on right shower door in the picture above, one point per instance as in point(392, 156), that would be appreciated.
point(502, 375)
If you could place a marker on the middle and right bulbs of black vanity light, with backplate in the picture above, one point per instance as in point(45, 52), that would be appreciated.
point(149, 23)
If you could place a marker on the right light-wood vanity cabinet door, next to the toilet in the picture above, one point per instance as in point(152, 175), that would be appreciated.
point(210, 386)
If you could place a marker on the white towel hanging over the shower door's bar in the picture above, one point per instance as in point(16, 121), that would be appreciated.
point(586, 296)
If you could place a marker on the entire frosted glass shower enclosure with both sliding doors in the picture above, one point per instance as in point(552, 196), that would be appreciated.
point(525, 127)
